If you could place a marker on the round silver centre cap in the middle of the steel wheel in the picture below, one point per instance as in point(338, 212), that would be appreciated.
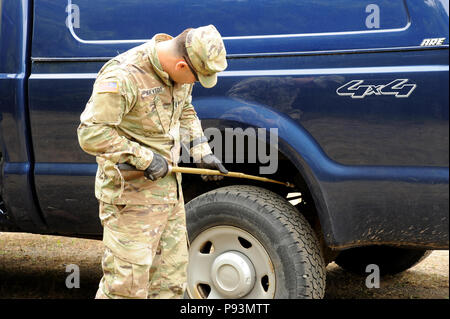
point(233, 274)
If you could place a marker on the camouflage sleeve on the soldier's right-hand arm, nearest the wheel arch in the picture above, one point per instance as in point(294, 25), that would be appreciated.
point(191, 131)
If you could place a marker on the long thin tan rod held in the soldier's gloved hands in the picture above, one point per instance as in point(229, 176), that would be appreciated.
point(204, 171)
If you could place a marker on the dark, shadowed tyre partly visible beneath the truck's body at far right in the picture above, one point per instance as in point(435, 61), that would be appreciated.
point(390, 260)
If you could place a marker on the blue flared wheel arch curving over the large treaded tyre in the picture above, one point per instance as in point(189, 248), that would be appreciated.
point(294, 141)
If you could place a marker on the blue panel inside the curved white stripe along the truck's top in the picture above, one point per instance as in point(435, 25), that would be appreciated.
point(238, 18)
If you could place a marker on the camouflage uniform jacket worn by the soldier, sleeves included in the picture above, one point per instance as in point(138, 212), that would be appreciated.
point(134, 111)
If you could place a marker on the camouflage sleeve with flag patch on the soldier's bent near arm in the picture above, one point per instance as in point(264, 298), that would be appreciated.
point(113, 96)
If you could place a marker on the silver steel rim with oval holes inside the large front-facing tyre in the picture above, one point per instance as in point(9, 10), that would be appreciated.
point(229, 262)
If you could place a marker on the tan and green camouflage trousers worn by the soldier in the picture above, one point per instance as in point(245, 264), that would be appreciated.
point(146, 251)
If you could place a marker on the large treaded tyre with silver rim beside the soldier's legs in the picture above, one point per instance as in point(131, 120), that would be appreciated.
point(248, 242)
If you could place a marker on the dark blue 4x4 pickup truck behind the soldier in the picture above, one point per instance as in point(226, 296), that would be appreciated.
point(357, 92)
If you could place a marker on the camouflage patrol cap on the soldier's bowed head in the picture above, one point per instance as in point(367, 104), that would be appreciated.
point(207, 53)
